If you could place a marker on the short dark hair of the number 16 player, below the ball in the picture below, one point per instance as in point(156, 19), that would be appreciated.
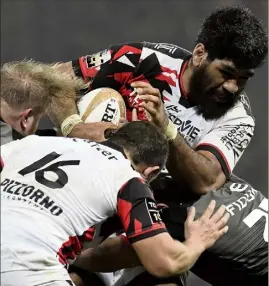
point(146, 143)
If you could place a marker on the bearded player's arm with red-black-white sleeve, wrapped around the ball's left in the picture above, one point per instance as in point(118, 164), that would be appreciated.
point(103, 69)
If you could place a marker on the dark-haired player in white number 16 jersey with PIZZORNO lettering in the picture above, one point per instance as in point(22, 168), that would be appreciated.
point(54, 190)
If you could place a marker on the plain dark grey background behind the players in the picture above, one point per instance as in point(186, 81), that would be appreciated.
point(62, 30)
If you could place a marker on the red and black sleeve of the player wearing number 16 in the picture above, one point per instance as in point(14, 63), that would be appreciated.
point(138, 211)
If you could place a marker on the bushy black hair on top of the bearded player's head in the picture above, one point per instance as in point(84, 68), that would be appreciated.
point(235, 34)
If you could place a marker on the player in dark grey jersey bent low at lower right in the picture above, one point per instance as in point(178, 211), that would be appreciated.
point(239, 258)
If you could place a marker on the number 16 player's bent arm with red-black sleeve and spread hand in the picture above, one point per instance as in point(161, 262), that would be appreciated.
point(158, 252)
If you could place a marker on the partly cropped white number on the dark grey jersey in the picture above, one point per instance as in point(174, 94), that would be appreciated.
point(256, 215)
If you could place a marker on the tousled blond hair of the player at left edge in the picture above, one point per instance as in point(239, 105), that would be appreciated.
point(32, 84)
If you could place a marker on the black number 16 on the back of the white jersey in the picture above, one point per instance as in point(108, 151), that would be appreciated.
point(55, 168)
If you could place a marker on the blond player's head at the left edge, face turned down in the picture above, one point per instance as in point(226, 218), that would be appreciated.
point(27, 88)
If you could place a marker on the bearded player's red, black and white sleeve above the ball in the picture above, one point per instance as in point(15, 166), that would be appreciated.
point(116, 67)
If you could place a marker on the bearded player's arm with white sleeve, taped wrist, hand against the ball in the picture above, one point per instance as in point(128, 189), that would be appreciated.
point(206, 167)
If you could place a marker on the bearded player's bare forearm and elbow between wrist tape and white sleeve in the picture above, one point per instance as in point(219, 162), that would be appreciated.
point(199, 172)
